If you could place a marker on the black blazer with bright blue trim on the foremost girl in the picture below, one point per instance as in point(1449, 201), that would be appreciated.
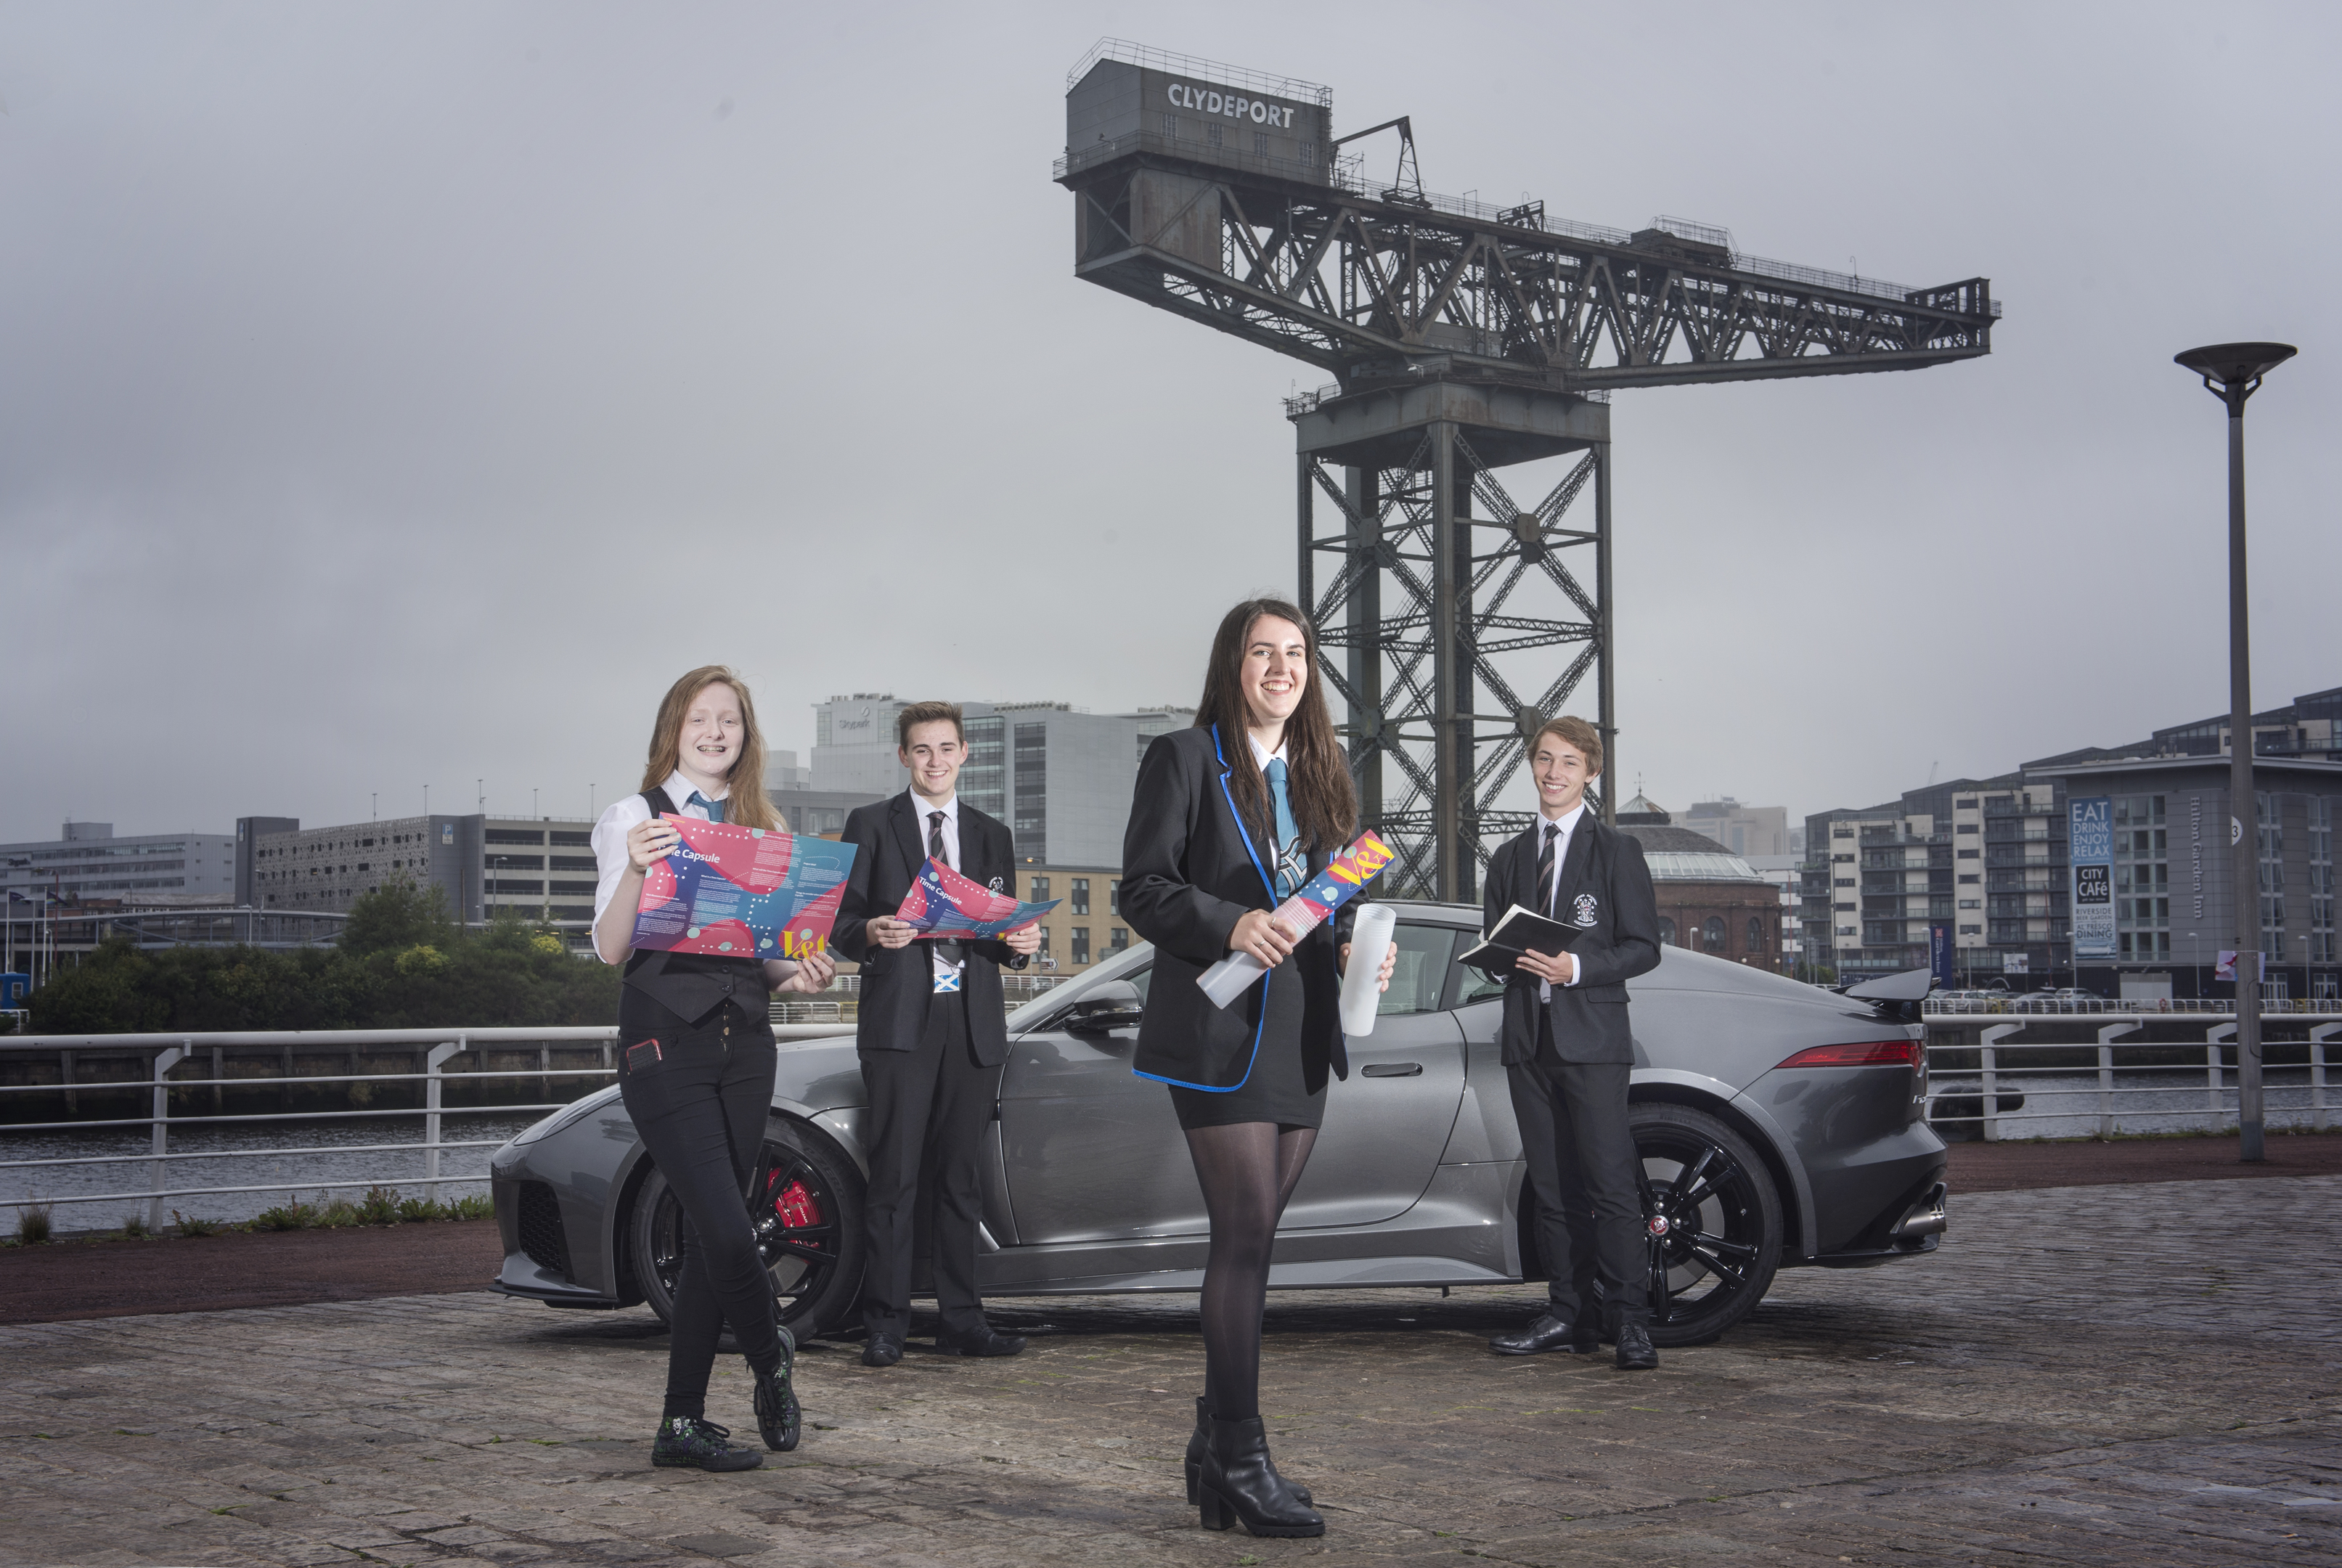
point(1186, 881)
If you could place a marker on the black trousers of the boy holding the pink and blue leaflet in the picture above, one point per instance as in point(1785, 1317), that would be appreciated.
point(931, 1110)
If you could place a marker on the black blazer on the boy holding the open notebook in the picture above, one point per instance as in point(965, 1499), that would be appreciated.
point(1608, 895)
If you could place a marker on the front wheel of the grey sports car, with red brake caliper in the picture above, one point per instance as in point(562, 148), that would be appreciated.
point(809, 1230)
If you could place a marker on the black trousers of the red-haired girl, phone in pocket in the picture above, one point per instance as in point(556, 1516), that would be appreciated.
point(701, 1101)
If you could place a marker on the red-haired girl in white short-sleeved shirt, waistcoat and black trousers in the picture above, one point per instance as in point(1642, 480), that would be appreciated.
point(697, 1066)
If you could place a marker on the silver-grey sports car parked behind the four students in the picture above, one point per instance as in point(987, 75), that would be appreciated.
point(1779, 1125)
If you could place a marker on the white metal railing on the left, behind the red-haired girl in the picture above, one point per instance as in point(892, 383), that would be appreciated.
point(167, 1052)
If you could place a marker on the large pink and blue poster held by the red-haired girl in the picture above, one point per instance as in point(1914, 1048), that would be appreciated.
point(744, 893)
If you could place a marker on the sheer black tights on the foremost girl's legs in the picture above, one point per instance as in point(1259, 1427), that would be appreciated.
point(1249, 1174)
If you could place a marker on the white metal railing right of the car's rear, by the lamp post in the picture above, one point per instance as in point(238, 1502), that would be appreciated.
point(2097, 1082)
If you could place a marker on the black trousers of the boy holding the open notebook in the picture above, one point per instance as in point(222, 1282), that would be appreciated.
point(1582, 1169)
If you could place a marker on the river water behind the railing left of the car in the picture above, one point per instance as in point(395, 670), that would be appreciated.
point(249, 1162)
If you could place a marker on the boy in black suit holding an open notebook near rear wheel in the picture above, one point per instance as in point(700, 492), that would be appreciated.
point(1568, 1050)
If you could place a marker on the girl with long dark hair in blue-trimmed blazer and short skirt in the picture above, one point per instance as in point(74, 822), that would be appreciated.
point(1231, 818)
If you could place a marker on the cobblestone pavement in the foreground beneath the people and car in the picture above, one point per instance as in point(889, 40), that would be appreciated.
point(2139, 1375)
